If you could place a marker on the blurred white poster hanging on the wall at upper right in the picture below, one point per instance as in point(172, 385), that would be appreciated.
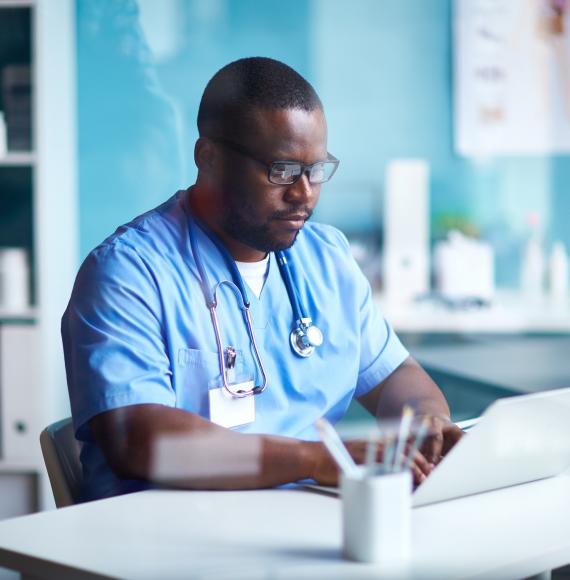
point(512, 77)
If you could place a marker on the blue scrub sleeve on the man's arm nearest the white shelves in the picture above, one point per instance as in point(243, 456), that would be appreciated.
point(118, 350)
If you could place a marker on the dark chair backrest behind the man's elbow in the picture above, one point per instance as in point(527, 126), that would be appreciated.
point(61, 455)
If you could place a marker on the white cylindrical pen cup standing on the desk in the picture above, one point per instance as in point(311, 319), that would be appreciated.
point(376, 517)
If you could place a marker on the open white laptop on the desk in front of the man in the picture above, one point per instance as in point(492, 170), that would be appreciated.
point(517, 440)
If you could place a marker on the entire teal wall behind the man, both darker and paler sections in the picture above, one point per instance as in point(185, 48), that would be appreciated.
point(383, 69)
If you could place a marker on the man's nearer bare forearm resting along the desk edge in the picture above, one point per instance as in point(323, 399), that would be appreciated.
point(200, 454)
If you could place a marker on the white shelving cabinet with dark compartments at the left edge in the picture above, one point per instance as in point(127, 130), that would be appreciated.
point(37, 212)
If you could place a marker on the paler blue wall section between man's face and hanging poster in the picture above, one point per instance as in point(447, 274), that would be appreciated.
point(385, 72)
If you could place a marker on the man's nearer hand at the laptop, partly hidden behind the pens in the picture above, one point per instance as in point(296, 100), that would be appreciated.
point(326, 471)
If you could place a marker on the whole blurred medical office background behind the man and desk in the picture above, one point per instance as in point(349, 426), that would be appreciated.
point(451, 120)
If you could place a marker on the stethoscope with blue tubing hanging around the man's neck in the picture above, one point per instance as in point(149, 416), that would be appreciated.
point(304, 337)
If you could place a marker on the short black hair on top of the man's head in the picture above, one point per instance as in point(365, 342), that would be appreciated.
point(252, 83)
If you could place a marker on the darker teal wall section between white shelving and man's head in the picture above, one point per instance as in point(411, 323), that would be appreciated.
point(137, 114)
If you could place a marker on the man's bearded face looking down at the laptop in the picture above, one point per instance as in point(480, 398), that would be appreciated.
point(258, 213)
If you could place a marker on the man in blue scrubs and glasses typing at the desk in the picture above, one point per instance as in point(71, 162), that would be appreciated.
point(147, 358)
